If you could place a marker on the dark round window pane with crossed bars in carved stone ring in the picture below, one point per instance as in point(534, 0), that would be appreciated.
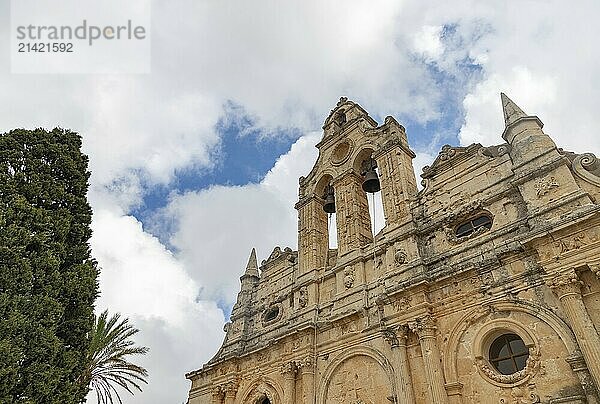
point(508, 354)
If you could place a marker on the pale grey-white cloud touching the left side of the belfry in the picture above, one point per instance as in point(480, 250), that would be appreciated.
point(216, 228)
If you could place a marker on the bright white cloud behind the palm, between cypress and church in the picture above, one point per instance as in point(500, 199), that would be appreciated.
point(144, 282)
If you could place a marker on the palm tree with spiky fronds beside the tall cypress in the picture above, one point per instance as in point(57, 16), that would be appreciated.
point(107, 361)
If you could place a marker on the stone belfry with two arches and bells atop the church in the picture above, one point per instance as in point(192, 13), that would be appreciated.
point(356, 157)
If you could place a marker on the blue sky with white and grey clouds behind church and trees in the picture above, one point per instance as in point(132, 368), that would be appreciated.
point(197, 162)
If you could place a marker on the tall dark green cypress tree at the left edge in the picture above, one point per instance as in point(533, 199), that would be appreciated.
point(48, 281)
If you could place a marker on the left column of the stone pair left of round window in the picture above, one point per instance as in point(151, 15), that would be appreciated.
point(397, 340)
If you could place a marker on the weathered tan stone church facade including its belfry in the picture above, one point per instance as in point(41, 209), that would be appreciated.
point(483, 287)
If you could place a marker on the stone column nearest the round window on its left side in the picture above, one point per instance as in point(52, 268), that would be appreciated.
point(425, 328)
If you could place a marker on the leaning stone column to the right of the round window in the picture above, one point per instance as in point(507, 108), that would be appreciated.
point(567, 287)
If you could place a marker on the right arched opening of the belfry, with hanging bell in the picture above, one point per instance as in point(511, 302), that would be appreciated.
point(366, 165)
